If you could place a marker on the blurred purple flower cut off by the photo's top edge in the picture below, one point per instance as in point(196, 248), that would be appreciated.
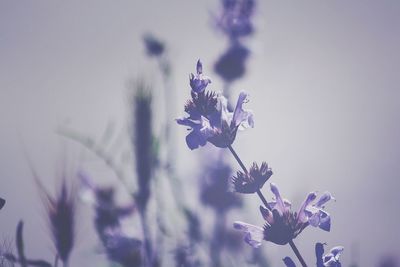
point(235, 20)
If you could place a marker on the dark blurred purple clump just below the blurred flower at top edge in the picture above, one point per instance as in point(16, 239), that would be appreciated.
point(231, 65)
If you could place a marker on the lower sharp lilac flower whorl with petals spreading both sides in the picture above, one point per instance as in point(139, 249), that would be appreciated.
point(283, 225)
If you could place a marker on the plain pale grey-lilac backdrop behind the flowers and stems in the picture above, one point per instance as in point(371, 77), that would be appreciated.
point(323, 77)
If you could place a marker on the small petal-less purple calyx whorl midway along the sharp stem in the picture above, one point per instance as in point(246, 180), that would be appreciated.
point(254, 180)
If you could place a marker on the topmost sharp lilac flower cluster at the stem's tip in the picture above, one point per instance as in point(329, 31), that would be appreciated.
point(209, 119)
